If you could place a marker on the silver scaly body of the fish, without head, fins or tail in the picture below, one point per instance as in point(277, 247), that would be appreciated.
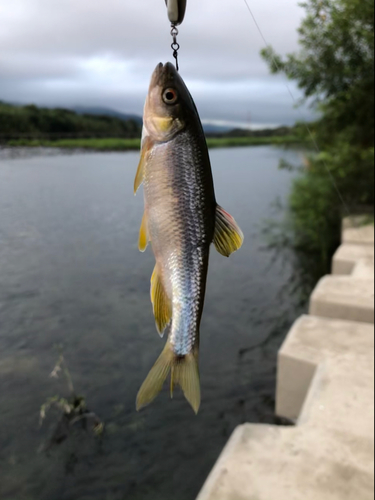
point(180, 206)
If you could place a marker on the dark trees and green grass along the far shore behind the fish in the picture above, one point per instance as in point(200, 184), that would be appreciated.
point(31, 126)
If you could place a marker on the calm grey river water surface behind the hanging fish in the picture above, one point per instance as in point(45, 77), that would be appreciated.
point(71, 275)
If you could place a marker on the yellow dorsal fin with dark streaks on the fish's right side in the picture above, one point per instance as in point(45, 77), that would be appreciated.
point(228, 236)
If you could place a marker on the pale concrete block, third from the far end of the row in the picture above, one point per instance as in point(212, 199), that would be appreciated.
point(342, 297)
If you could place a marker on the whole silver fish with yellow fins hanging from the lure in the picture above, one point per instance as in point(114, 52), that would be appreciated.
point(181, 220)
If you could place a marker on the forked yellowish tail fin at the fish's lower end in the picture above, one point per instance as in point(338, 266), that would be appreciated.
point(185, 373)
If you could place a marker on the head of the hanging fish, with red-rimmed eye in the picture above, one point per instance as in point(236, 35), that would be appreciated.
point(168, 104)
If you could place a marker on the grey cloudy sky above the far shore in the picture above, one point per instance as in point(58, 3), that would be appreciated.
point(102, 53)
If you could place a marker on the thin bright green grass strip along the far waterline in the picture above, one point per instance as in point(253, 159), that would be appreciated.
point(134, 144)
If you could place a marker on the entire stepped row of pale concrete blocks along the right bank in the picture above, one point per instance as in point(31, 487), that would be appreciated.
point(325, 384)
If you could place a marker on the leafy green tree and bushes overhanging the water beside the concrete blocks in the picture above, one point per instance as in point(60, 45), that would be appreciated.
point(335, 69)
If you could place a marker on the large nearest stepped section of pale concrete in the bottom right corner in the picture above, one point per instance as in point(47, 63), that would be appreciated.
point(330, 454)
